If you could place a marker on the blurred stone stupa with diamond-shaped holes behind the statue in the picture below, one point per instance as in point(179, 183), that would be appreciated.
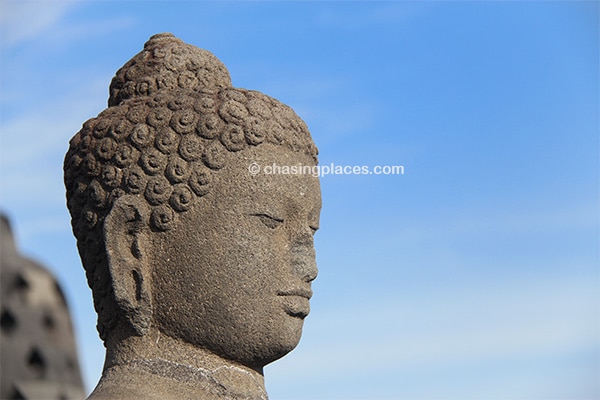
point(38, 351)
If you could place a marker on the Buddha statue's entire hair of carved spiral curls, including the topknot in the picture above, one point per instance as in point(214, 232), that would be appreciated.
point(173, 116)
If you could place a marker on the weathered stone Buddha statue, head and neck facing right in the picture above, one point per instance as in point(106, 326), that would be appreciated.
point(200, 271)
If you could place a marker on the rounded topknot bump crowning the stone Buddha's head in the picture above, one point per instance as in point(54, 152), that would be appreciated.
point(167, 63)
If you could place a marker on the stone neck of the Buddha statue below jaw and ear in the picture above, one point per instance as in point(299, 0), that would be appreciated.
point(159, 366)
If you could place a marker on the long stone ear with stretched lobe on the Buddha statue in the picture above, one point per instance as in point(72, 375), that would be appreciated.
point(127, 245)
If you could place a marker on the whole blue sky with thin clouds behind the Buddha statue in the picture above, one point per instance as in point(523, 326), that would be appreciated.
point(472, 276)
